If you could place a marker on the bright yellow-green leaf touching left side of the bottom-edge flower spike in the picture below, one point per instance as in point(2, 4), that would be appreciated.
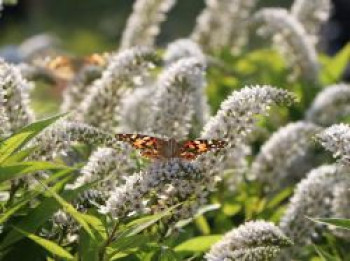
point(197, 244)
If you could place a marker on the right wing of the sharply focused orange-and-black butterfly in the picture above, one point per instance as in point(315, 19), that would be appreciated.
point(191, 149)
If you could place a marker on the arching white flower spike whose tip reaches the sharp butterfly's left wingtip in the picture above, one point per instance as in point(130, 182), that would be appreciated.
point(62, 134)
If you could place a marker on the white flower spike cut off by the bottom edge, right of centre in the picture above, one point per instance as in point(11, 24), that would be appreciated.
point(252, 241)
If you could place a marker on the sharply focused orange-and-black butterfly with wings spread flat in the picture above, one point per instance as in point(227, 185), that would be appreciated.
point(156, 148)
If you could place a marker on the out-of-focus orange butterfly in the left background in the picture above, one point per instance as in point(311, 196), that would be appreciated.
point(65, 68)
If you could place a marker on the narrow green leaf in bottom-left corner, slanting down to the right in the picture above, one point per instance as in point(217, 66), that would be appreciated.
point(50, 246)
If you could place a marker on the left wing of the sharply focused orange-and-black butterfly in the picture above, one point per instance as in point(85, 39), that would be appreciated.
point(148, 146)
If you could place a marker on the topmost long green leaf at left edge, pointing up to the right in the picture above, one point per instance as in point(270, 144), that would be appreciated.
point(19, 139)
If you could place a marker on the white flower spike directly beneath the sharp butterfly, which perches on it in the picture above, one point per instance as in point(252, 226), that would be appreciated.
point(163, 184)
